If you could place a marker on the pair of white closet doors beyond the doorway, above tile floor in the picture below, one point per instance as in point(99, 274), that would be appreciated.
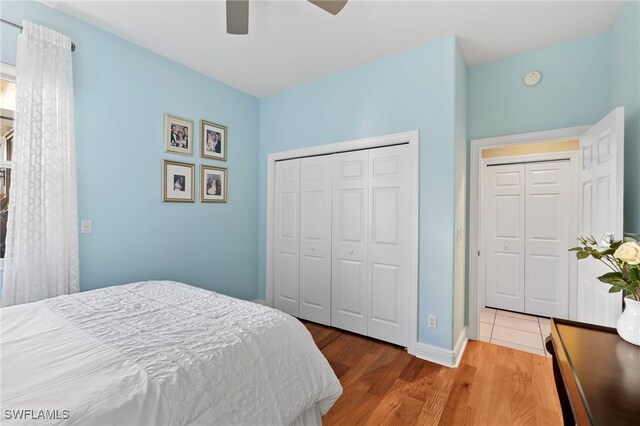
point(526, 216)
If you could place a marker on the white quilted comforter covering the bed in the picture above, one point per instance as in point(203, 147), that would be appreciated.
point(159, 352)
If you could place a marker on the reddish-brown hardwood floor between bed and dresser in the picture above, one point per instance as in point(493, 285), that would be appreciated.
point(383, 384)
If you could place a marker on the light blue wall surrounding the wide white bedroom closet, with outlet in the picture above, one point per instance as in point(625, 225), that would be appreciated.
point(408, 91)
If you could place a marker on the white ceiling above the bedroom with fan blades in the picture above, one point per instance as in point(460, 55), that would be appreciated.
point(293, 42)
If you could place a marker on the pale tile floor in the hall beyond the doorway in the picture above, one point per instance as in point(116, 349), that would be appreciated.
point(514, 330)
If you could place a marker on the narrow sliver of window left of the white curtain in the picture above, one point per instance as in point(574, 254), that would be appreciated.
point(7, 116)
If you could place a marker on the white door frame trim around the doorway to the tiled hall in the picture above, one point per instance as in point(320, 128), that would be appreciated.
point(475, 177)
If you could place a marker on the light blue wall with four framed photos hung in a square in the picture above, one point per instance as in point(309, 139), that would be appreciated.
point(121, 94)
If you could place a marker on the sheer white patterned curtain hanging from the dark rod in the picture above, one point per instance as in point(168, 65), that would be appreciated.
point(41, 258)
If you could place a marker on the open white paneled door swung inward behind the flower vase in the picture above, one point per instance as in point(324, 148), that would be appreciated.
point(601, 204)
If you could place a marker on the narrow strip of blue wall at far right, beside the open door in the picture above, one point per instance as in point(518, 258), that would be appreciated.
point(625, 37)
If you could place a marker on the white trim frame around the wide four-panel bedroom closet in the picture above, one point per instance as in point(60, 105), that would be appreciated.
point(412, 138)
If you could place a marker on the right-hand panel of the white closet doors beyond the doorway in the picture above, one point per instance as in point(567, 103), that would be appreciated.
point(547, 239)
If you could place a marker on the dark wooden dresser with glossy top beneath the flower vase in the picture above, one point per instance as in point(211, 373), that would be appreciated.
point(597, 374)
